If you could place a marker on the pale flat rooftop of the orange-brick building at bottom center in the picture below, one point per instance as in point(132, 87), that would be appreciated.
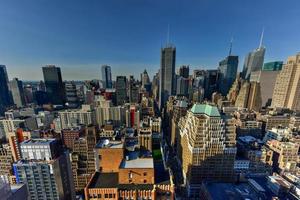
point(138, 163)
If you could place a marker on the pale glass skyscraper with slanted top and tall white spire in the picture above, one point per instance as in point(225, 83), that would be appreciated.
point(254, 60)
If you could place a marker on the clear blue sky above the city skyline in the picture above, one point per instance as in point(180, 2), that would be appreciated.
point(81, 35)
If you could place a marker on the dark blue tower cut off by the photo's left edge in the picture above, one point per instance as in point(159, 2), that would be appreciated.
point(5, 99)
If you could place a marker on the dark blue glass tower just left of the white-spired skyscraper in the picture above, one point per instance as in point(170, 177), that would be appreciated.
point(227, 73)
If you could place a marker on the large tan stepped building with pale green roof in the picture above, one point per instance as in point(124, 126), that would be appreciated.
point(208, 147)
